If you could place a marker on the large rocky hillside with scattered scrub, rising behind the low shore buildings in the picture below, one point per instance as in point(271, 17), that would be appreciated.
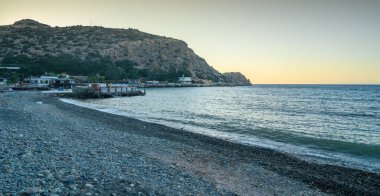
point(114, 53)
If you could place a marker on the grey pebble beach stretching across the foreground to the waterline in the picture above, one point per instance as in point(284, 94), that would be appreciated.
point(53, 148)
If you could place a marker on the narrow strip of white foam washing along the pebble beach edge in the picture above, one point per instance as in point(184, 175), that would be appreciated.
point(302, 152)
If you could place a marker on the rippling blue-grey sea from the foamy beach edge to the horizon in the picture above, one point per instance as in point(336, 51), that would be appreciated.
point(330, 124)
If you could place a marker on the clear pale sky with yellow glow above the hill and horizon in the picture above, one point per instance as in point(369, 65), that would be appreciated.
point(269, 41)
